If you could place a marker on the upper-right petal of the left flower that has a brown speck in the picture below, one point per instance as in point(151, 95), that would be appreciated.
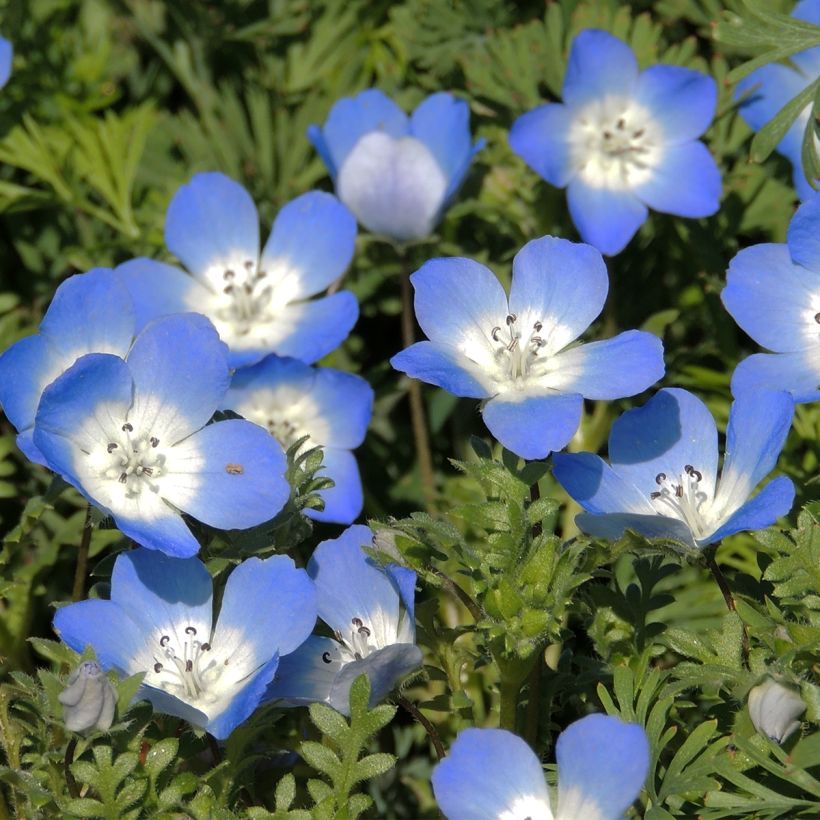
point(180, 372)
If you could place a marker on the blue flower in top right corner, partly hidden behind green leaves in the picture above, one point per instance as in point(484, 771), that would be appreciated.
point(767, 89)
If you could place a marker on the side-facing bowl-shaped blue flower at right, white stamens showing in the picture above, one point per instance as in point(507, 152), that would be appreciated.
point(663, 479)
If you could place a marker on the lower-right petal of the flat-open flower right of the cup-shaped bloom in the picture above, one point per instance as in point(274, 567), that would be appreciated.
point(685, 183)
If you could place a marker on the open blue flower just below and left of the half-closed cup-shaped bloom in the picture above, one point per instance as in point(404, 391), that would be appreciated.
point(258, 304)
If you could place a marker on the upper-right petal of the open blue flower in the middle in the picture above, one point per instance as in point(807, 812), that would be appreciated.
point(560, 284)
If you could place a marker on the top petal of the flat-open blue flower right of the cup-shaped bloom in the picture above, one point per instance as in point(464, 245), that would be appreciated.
point(599, 64)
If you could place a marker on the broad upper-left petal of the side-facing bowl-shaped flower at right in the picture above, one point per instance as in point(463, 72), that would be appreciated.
point(672, 430)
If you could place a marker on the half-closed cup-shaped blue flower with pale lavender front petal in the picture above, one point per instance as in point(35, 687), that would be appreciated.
point(397, 174)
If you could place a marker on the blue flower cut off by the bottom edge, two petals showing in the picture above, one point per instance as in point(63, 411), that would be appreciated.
point(492, 774)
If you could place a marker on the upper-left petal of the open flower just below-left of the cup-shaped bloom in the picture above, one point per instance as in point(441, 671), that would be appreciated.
point(212, 225)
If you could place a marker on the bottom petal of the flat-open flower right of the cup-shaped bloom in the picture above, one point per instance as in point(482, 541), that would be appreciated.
point(605, 218)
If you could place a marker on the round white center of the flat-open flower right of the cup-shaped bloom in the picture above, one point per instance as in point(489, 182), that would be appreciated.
point(614, 143)
